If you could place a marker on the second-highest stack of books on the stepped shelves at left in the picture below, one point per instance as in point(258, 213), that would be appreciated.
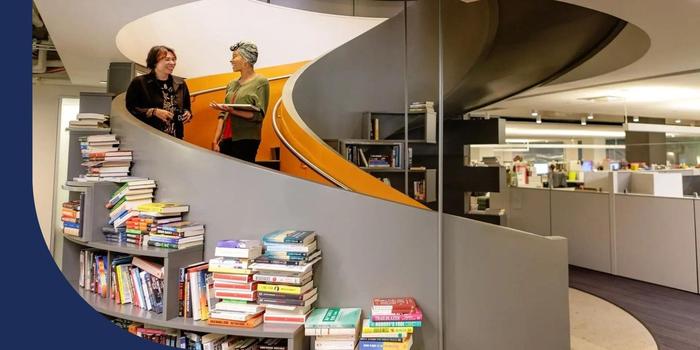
point(102, 158)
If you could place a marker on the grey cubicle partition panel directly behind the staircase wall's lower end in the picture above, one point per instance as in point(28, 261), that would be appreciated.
point(584, 219)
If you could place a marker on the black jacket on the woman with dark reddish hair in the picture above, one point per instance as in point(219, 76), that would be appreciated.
point(144, 93)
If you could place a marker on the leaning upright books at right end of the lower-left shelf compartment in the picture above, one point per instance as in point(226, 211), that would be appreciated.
point(137, 281)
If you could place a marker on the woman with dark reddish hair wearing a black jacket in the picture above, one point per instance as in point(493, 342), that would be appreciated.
point(159, 98)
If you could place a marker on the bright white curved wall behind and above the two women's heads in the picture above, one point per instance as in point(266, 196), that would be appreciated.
point(201, 33)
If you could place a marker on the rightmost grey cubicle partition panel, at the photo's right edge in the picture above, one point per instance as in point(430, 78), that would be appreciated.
point(655, 240)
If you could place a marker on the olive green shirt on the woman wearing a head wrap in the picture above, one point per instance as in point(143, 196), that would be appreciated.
point(255, 92)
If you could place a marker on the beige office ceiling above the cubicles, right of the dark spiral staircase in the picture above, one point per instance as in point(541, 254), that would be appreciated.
point(664, 82)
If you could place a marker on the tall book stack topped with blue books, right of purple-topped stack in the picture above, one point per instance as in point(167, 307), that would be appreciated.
point(285, 273)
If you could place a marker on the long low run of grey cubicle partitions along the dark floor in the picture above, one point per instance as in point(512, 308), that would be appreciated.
point(641, 236)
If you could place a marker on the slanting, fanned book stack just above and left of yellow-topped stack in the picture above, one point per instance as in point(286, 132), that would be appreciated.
point(125, 199)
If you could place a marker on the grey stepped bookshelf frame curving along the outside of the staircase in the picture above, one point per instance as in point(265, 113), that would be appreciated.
point(94, 215)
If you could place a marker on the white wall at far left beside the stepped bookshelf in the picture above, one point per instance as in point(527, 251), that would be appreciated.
point(45, 119)
